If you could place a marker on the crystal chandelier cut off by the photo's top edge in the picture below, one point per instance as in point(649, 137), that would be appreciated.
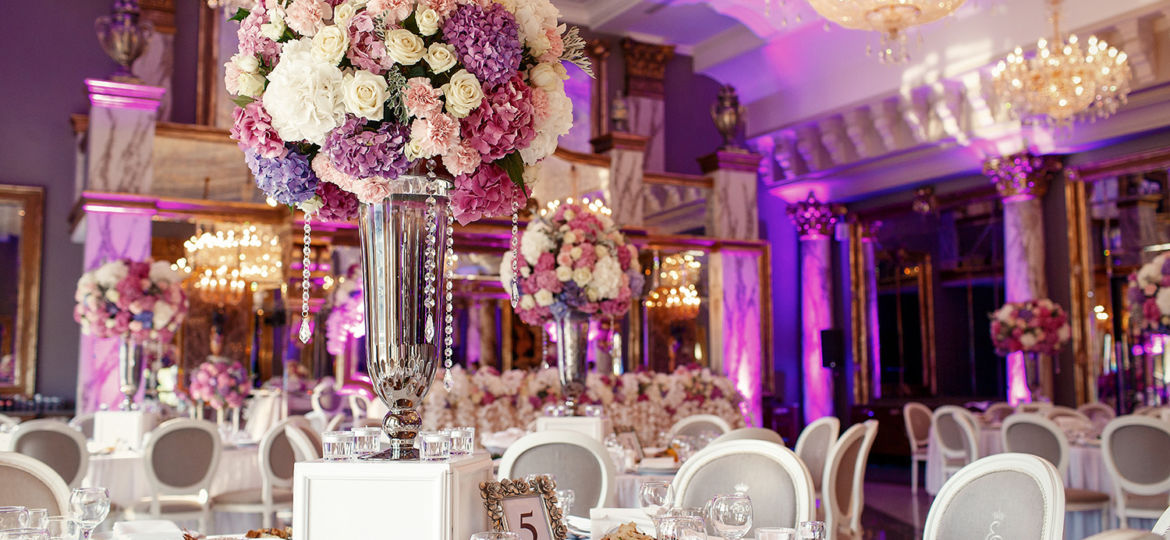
point(891, 18)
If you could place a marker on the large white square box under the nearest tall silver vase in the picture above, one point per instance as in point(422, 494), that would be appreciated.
point(390, 501)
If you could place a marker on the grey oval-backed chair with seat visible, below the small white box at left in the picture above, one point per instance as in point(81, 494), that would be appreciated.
point(181, 458)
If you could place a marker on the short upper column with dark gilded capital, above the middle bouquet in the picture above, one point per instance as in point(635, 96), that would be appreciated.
point(646, 96)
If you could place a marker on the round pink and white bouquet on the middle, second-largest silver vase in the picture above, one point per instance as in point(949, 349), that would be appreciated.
point(574, 259)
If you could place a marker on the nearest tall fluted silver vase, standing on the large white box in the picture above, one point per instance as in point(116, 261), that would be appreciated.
point(404, 282)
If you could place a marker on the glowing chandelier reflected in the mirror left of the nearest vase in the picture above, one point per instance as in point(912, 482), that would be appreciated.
point(228, 260)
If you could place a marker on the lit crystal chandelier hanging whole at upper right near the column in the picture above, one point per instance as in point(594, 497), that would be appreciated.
point(1064, 80)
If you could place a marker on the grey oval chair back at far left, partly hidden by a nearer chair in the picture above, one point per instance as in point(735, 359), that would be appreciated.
point(57, 445)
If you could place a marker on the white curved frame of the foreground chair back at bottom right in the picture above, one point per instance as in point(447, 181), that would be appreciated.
point(1041, 470)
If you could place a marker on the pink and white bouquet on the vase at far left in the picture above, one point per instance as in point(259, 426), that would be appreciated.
point(140, 301)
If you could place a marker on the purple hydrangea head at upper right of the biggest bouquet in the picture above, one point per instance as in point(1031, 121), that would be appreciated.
point(487, 41)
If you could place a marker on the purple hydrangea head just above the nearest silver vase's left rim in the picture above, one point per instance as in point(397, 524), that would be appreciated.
point(364, 154)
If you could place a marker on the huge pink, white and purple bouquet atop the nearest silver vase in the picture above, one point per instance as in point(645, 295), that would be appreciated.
point(339, 99)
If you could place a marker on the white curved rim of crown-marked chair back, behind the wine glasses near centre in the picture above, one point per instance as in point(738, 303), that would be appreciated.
point(788, 460)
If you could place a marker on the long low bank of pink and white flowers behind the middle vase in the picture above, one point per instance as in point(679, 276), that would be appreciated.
point(648, 403)
